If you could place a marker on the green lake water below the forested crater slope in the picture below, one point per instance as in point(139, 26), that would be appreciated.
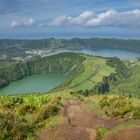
point(40, 83)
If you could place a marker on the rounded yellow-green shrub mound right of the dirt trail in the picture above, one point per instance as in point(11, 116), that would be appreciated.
point(120, 107)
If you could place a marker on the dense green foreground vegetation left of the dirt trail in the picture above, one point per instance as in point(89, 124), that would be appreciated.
point(22, 116)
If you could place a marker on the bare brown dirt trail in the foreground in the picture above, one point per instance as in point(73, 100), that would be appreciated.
point(80, 124)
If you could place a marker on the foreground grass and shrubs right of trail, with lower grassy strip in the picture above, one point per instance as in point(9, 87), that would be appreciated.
point(114, 106)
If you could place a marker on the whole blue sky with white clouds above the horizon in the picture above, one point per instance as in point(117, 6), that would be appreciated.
point(69, 18)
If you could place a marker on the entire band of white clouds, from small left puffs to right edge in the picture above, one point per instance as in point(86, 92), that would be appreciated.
point(89, 19)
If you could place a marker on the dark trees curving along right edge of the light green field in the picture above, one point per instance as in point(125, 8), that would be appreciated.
point(111, 82)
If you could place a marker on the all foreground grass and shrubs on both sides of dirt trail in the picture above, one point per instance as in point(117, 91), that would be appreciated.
point(22, 117)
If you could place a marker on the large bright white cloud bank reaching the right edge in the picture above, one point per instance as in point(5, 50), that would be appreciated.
point(107, 18)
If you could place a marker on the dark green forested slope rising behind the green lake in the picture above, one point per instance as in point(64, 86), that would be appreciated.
point(68, 63)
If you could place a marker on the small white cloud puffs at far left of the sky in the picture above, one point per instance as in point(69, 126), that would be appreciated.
point(26, 23)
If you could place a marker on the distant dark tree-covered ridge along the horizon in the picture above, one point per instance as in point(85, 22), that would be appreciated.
point(76, 43)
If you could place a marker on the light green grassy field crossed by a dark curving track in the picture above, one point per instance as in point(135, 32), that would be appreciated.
point(95, 68)
